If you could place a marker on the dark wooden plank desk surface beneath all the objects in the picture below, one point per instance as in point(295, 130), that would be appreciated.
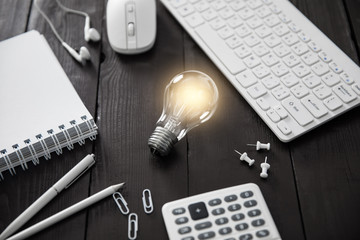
point(313, 190)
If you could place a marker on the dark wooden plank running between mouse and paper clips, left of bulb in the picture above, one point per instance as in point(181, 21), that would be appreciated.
point(129, 104)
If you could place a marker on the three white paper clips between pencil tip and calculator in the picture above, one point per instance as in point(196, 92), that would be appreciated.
point(133, 218)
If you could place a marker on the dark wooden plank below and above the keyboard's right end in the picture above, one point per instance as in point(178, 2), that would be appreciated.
point(326, 160)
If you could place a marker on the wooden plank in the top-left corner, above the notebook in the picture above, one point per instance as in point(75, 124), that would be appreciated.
point(13, 17)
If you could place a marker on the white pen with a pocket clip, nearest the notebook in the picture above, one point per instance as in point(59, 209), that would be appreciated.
point(60, 185)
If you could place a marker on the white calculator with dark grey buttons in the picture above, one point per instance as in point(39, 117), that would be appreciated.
point(234, 213)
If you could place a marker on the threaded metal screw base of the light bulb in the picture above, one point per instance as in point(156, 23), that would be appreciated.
point(161, 141)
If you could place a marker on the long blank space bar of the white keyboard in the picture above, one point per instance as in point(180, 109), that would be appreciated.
point(225, 55)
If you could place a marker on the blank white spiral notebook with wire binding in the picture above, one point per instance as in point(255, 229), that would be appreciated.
point(41, 112)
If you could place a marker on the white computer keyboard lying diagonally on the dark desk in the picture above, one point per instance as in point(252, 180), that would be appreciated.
point(289, 72)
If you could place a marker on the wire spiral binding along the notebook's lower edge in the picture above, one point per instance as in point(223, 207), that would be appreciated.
point(45, 145)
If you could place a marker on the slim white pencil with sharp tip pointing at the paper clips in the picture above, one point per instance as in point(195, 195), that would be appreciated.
point(66, 212)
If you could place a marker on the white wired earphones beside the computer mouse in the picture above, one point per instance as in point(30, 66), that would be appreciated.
point(89, 33)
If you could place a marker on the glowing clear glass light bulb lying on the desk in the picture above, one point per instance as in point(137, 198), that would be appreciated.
point(189, 100)
